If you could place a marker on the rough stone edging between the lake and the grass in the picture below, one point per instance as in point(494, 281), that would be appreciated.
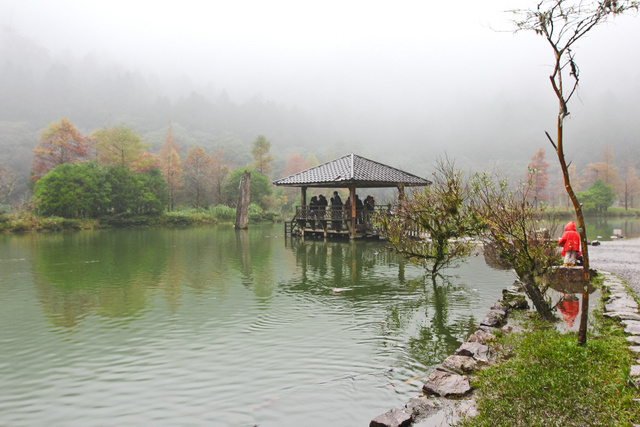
point(446, 393)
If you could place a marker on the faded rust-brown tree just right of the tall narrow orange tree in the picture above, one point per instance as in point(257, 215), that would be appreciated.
point(197, 176)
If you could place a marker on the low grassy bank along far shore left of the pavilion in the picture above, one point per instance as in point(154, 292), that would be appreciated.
point(24, 221)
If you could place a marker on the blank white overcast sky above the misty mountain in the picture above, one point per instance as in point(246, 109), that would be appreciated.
point(288, 46)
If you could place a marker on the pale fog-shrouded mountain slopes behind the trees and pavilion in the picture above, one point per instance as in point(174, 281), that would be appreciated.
point(480, 129)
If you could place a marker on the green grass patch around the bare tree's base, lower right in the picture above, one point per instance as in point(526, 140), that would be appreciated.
point(546, 379)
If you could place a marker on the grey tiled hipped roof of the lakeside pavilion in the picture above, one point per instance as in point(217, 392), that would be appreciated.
point(352, 169)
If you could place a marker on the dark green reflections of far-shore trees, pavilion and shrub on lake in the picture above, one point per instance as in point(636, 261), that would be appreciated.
point(116, 275)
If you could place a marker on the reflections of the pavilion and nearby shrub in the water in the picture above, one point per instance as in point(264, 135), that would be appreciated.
point(370, 273)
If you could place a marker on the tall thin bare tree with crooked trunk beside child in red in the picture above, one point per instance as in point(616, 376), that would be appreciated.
point(562, 23)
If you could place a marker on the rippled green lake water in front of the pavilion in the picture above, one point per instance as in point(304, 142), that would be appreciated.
point(213, 327)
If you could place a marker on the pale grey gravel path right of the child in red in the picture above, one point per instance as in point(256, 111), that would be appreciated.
point(620, 257)
